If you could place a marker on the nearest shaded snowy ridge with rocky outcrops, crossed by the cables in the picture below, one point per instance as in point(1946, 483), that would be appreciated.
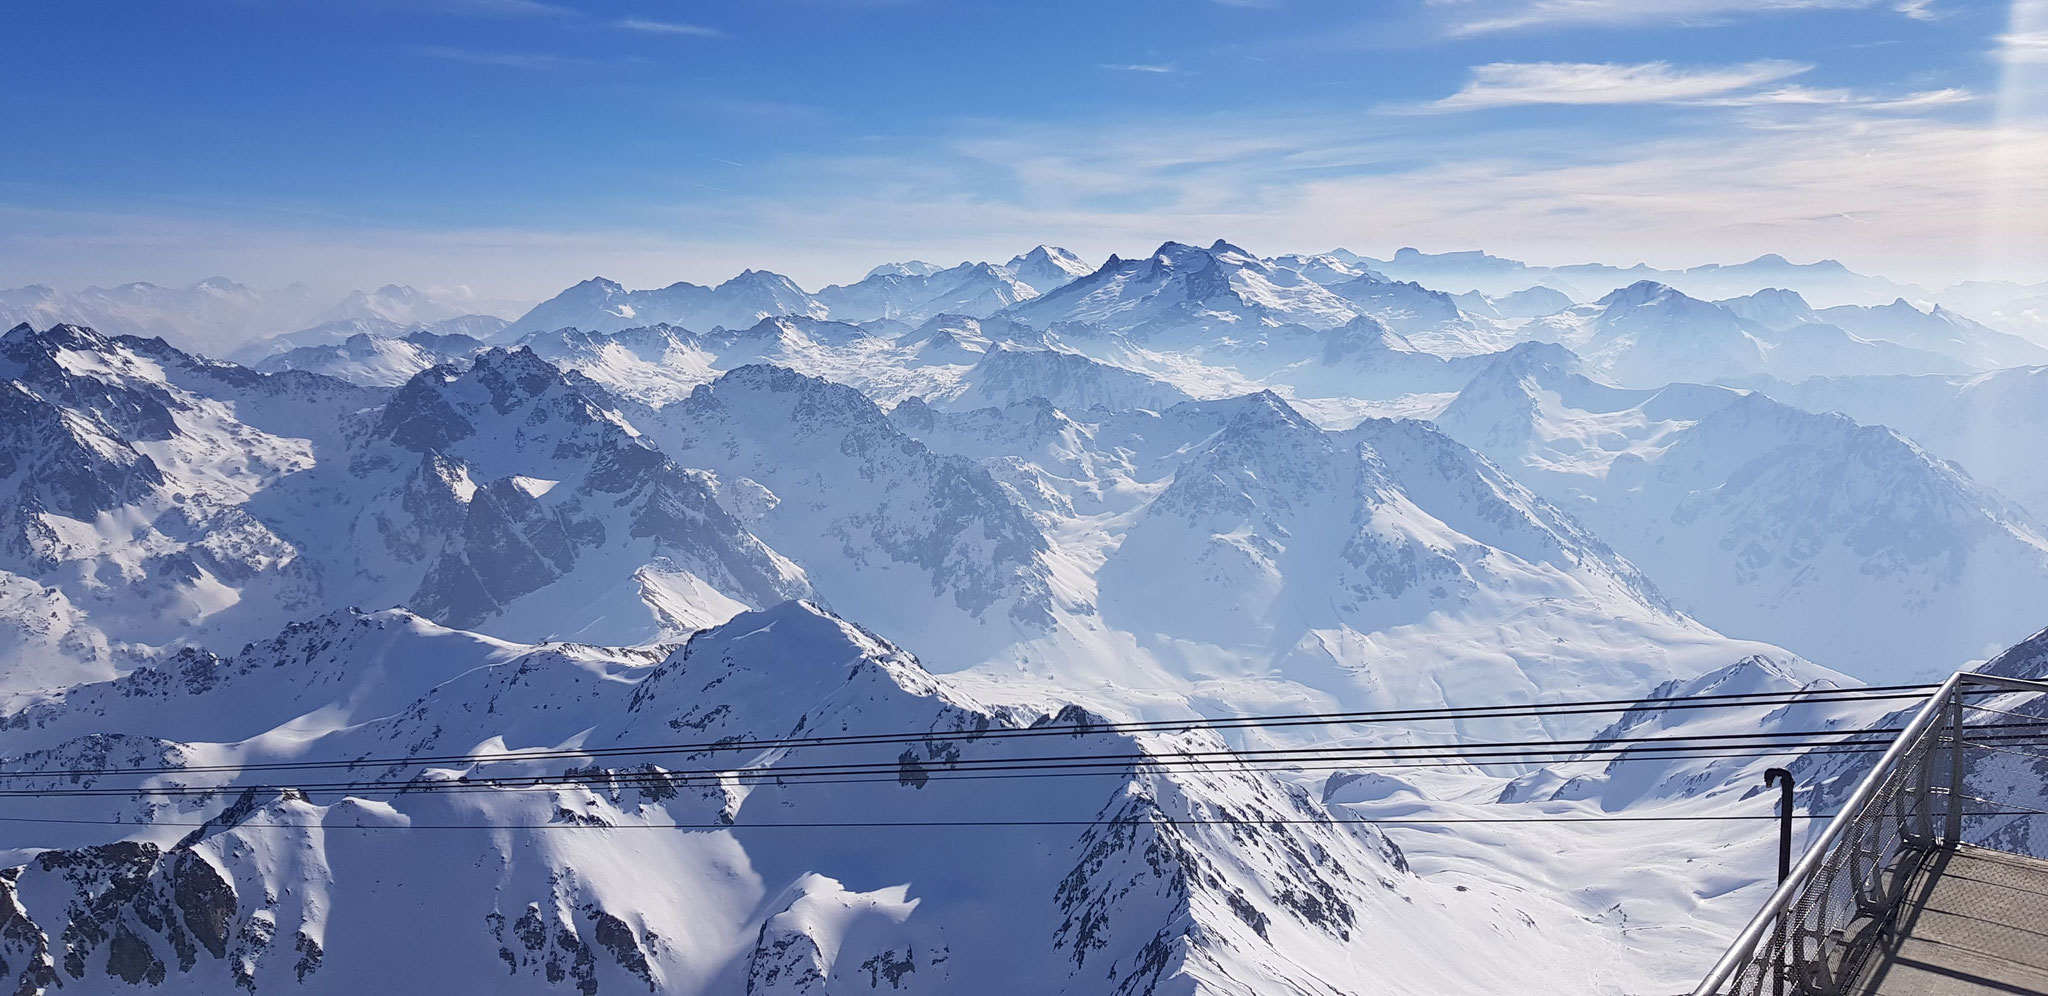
point(278, 890)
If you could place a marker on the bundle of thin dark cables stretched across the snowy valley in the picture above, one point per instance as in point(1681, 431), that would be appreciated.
point(906, 770)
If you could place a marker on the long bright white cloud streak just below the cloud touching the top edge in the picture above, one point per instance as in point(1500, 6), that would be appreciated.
point(1609, 83)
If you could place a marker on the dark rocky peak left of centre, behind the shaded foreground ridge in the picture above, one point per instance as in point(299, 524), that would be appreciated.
point(525, 479)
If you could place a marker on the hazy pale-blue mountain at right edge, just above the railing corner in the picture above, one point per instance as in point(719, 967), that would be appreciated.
point(1766, 520)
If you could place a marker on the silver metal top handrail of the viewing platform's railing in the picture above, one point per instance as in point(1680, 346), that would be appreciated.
point(1783, 901)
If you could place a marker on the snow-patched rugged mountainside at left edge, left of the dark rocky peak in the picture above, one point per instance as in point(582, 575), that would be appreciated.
point(128, 472)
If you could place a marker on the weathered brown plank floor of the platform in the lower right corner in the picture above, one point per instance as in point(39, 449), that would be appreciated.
point(1975, 923)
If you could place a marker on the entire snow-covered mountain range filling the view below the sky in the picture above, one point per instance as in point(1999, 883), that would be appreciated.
point(970, 517)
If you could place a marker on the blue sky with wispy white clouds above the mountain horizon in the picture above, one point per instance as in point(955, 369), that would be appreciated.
point(519, 144)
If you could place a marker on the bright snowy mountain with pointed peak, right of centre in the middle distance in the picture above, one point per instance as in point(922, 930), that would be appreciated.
point(1238, 556)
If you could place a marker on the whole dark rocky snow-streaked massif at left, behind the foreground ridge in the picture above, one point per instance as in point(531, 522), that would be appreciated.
point(159, 501)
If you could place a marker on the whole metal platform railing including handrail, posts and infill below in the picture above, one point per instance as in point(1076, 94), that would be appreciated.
point(1816, 931)
